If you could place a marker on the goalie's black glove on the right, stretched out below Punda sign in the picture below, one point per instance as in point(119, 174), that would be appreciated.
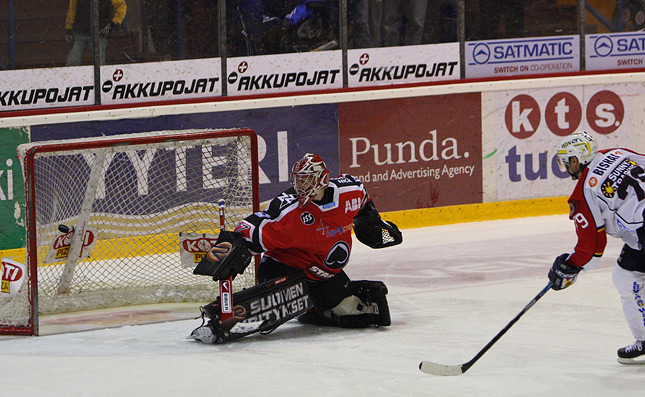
point(373, 231)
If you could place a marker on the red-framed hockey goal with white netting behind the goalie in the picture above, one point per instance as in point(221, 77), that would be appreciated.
point(129, 202)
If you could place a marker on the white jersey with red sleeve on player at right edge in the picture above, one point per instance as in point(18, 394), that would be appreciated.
point(609, 198)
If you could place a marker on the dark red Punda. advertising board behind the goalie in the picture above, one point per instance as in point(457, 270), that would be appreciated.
point(414, 152)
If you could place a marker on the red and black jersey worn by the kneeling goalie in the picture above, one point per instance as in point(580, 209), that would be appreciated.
point(316, 238)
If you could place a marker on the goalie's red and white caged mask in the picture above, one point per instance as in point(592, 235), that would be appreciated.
point(309, 175)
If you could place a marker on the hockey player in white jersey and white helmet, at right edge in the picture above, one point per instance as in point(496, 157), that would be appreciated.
point(609, 198)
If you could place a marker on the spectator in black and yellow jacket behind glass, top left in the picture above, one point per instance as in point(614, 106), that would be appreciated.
point(78, 26)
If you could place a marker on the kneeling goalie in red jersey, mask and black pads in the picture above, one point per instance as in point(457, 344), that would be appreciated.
point(305, 234)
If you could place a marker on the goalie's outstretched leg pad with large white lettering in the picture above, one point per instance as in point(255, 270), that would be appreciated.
point(261, 308)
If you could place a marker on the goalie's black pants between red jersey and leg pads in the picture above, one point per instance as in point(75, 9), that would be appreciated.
point(325, 294)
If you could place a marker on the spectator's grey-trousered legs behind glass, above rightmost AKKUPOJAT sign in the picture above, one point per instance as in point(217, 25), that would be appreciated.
point(403, 22)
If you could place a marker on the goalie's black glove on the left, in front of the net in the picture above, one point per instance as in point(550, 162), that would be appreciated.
point(229, 256)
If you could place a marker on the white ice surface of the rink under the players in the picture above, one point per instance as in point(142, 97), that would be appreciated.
point(451, 290)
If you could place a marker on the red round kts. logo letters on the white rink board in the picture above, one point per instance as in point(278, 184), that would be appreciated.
point(563, 114)
